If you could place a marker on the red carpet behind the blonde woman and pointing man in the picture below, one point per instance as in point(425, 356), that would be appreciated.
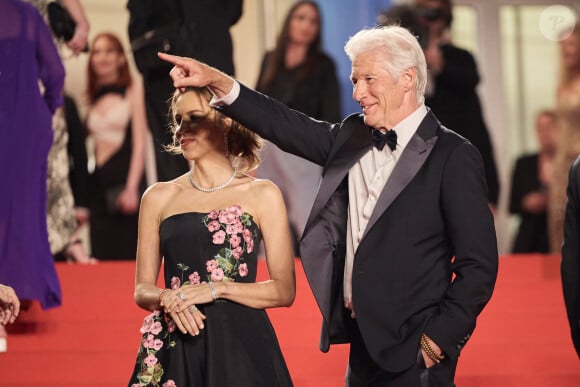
point(91, 340)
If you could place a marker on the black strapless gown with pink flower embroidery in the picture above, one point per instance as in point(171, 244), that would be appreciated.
point(238, 346)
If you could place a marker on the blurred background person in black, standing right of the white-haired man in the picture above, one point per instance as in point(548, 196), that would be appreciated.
point(529, 188)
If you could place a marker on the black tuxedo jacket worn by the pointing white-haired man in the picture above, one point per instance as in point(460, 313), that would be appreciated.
point(428, 259)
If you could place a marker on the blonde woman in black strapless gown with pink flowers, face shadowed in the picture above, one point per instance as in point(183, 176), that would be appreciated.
point(208, 325)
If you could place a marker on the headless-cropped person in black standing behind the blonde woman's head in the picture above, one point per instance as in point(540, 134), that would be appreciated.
point(208, 39)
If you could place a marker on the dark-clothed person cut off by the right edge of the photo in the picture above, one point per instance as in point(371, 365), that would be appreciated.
point(570, 267)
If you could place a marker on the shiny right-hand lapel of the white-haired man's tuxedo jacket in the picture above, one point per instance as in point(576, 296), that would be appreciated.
point(412, 158)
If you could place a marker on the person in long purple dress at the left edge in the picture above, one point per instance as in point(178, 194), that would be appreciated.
point(27, 55)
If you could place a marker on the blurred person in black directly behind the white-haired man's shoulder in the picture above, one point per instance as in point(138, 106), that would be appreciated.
point(452, 88)
